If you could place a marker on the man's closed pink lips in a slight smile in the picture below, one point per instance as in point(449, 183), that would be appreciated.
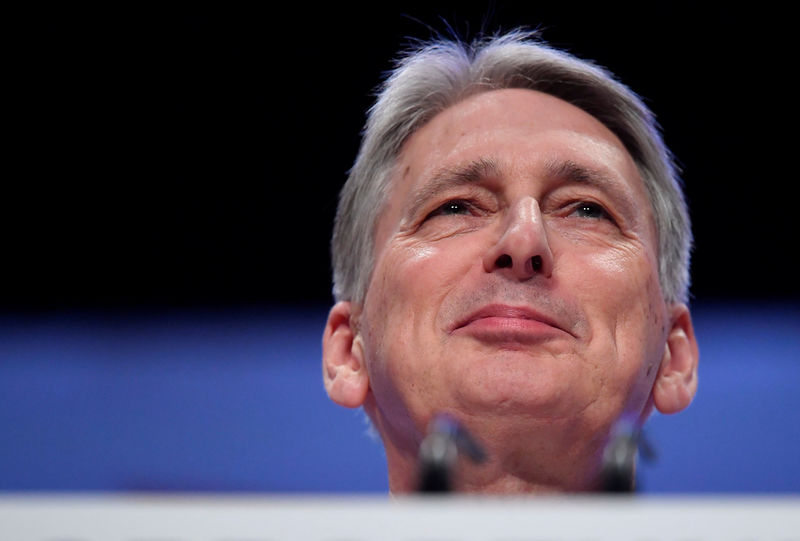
point(501, 322)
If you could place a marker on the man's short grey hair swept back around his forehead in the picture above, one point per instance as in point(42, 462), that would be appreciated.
point(439, 74)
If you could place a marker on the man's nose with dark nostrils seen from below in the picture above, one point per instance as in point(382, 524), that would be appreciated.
point(522, 251)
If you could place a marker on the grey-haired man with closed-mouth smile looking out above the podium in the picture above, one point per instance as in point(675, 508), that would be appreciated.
point(511, 249)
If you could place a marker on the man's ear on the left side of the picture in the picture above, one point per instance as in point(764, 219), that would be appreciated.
point(343, 367)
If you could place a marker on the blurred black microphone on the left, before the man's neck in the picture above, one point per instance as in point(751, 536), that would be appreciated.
point(439, 451)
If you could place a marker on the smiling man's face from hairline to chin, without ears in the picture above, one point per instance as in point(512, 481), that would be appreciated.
point(515, 280)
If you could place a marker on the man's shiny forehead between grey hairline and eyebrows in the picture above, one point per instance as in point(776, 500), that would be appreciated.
point(518, 126)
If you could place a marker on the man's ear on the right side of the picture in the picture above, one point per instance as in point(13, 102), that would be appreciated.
point(676, 382)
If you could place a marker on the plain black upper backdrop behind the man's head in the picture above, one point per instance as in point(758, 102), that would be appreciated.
point(192, 157)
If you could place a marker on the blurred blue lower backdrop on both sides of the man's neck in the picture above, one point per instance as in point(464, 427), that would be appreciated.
point(233, 400)
